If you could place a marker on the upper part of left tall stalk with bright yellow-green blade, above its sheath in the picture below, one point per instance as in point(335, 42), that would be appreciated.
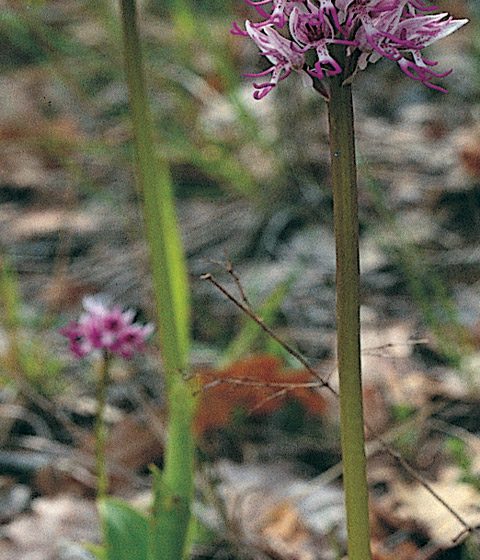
point(153, 177)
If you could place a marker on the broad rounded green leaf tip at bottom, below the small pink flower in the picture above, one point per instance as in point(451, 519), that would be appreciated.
point(126, 531)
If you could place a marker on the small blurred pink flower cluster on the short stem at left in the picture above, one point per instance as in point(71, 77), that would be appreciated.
point(107, 329)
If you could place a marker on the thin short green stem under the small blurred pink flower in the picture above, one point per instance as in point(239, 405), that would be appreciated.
point(100, 428)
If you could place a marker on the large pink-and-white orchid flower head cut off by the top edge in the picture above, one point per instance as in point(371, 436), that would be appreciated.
point(397, 30)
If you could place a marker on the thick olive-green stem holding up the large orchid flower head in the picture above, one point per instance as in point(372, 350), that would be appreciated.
point(344, 179)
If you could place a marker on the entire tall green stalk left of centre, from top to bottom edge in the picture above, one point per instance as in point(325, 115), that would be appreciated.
point(175, 491)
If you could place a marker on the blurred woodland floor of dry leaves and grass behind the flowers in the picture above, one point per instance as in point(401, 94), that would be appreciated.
point(252, 184)
